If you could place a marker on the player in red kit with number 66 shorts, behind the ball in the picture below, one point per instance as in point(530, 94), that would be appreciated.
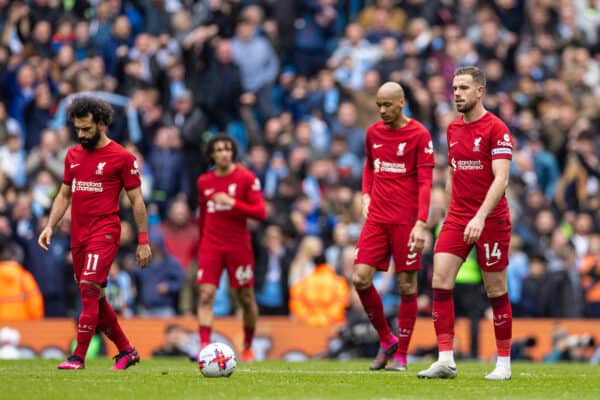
point(228, 195)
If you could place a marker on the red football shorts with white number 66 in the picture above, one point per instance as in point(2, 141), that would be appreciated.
point(238, 262)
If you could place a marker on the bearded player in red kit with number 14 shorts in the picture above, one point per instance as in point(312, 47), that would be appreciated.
point(479, 154)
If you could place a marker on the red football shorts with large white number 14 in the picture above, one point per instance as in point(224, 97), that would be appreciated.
point(492, 246)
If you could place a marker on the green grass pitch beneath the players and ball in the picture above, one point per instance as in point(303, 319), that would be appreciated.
point(165, 379)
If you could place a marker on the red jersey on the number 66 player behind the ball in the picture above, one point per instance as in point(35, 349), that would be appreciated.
point(225, 226)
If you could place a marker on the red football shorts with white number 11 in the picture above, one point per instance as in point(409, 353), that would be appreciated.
point(92, 261)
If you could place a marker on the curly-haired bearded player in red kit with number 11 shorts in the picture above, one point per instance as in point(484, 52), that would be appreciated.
point(96, 171)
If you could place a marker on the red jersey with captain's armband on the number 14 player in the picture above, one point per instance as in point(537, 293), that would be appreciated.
point(471, 149)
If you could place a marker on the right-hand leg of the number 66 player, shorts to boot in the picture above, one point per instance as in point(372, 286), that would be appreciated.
point(240, 269)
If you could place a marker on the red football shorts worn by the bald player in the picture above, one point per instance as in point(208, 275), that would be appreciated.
point(378, 242)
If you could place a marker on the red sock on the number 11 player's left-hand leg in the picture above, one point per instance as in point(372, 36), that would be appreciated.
point(88, 319)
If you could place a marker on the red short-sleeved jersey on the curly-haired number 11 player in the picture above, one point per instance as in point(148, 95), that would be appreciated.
point(96, 178)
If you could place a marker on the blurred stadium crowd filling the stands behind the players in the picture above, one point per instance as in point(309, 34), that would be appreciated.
point(294, 82)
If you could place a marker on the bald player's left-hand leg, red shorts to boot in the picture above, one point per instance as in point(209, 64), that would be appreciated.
point(372, 251)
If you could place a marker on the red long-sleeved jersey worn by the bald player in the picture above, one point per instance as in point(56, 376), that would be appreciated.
point(390, 175)
